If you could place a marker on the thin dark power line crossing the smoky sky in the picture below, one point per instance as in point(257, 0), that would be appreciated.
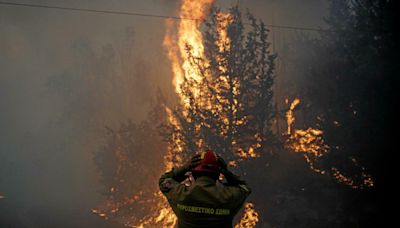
point(145, 15)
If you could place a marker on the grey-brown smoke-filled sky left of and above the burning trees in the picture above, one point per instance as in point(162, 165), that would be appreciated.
point(65, 75)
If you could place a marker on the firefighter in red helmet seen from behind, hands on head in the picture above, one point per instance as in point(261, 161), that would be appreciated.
point(204, 203)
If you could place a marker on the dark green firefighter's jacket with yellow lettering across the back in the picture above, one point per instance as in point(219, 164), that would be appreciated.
point(204, 203)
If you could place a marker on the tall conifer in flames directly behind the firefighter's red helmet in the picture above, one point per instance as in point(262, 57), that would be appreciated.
point(227, 93)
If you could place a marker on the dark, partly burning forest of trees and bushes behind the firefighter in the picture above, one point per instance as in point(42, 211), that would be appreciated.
point(324, 169)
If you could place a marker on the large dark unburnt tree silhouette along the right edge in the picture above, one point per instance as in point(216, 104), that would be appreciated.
point(350, 89)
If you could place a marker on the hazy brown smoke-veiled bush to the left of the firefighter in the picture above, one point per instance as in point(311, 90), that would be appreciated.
point(130, 159)
